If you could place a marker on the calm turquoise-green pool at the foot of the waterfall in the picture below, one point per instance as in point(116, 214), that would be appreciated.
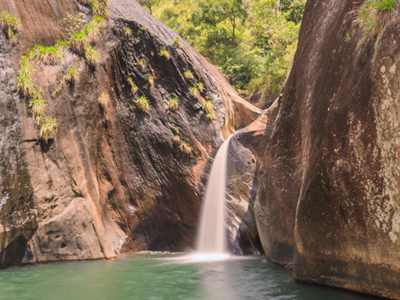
point(156, 277)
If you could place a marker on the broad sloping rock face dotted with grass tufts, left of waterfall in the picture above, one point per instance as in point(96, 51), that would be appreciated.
point(112, 179)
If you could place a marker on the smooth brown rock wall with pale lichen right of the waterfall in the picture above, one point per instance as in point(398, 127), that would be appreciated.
point(328, 196)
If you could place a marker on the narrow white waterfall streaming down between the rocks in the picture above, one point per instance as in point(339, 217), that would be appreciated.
point(211, 238)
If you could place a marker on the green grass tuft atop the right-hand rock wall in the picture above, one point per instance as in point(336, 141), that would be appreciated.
point(374, 14)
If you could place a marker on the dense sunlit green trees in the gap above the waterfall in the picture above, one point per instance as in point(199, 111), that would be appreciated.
point(251, 42)
